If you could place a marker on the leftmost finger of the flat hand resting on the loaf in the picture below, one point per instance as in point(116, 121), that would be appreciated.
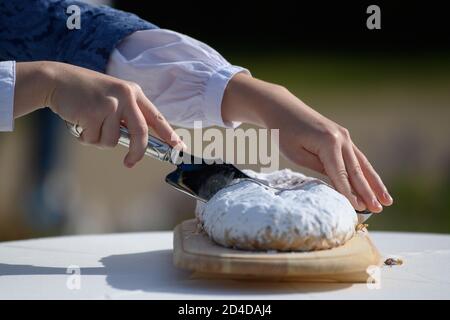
point(336, 171)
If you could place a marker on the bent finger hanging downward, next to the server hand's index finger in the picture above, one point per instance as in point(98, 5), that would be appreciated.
point(138, 131)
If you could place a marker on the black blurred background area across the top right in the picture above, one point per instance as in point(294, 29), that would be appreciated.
point(276, 26)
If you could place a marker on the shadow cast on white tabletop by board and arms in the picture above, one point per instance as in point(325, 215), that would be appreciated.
point(153, 271)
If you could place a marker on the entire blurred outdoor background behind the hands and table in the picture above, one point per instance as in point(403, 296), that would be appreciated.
point(389, 87)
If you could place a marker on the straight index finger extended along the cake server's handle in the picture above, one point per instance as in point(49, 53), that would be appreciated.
point(156, 120)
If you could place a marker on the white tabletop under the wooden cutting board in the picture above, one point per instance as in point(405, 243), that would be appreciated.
point(139, 266)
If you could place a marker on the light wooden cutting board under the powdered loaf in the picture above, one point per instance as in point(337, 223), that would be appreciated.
point(193, 250)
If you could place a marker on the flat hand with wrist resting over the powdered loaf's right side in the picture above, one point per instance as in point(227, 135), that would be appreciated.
point(307, 138)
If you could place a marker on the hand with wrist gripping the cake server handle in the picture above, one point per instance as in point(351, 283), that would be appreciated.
point(98, 103)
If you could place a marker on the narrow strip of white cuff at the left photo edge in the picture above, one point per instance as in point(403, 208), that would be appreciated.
point(7, 81)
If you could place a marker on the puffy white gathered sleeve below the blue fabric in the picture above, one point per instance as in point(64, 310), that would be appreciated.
point(184, 78)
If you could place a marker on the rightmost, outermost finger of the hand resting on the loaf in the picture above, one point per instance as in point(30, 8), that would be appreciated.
point(373, 178)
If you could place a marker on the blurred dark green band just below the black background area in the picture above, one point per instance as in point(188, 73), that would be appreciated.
point(316, 72)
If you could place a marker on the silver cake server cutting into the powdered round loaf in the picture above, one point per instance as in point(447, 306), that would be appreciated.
point(197, 177)
